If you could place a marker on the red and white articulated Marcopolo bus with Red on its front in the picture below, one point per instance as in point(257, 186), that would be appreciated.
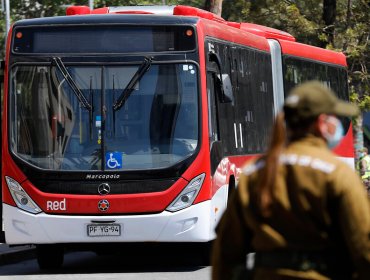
point(131, 124)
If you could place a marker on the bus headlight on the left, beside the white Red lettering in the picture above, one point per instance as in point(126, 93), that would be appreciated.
point(20, 197)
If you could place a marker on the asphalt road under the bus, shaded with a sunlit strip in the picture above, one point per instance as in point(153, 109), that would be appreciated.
point(89, 265)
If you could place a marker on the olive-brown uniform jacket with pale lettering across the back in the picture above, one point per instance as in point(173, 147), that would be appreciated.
point(321, 206)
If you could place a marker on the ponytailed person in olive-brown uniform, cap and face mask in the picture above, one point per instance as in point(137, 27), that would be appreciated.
point(300, 209)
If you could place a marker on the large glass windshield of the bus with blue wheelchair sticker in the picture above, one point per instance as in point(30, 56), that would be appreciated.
point(156, 127)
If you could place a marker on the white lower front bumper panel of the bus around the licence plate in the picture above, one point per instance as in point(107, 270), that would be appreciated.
point(192, 224)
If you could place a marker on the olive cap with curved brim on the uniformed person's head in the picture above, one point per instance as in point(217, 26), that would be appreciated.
point(310, 99)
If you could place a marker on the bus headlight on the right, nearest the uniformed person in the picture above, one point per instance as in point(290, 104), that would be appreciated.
point(188, 195)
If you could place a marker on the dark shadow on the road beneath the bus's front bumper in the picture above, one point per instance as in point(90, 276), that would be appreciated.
point(117, 258)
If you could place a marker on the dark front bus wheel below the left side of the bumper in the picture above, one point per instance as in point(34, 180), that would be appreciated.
point(50, 256)
